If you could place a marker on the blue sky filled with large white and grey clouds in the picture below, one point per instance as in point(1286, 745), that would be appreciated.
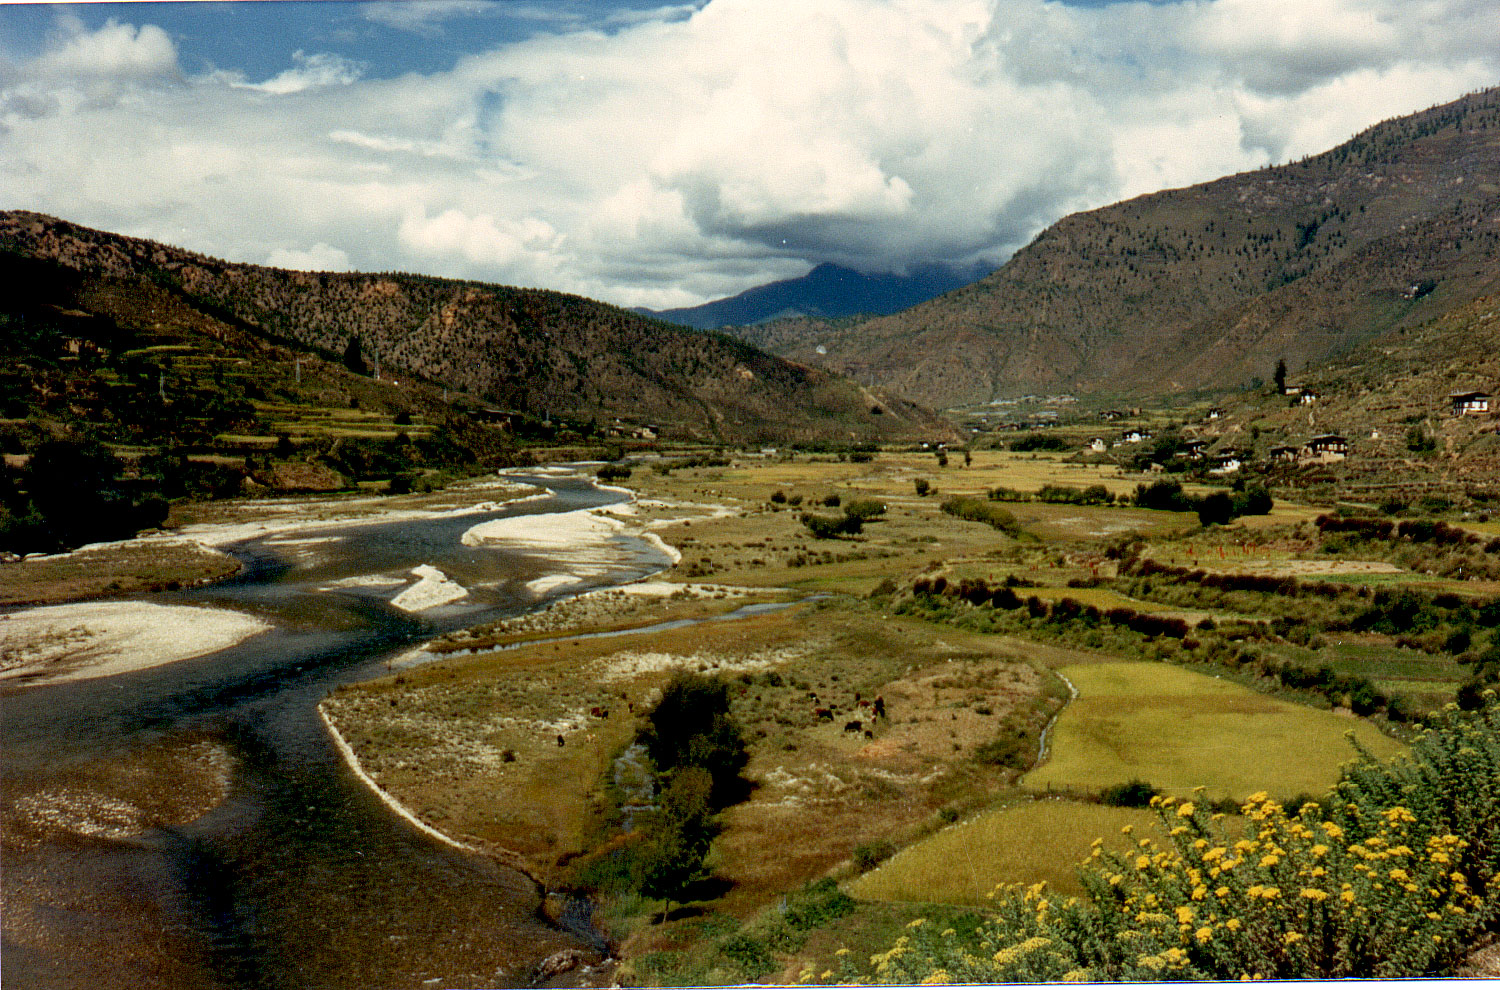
point(665, 155)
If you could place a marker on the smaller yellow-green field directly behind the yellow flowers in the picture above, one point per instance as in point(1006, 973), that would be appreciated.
point(1027, 844)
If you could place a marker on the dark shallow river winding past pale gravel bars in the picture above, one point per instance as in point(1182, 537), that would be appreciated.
point(301, 877)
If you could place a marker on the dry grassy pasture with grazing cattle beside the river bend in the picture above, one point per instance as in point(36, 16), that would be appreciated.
point(437, 737)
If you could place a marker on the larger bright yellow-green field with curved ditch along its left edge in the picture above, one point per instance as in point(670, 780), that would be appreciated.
point(1178, 731)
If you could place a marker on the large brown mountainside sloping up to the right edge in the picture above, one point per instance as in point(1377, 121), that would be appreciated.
point(1208, 286)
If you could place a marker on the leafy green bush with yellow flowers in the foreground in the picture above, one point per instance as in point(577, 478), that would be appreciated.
point(1394, 877)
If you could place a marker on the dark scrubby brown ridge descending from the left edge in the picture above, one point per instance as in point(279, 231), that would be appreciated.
point(524, 350)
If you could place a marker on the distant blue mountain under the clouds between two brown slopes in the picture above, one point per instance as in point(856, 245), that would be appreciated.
point(829, 292)
